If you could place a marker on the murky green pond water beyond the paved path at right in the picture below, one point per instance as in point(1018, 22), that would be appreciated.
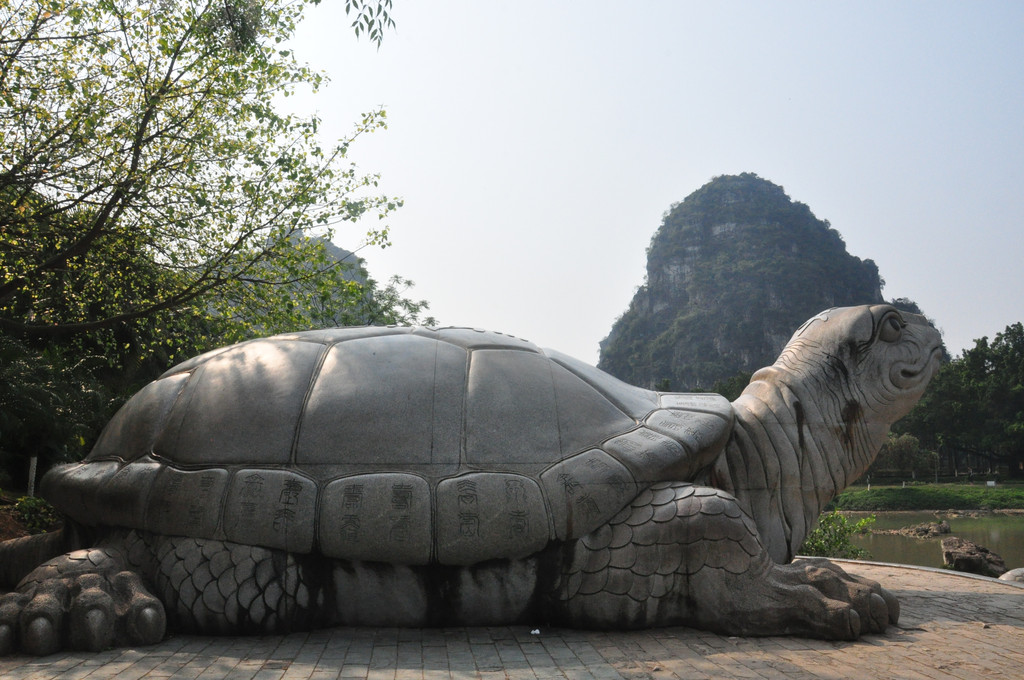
point(1002, 534)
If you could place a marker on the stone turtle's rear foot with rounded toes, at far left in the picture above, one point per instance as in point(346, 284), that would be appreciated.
point(81, 601)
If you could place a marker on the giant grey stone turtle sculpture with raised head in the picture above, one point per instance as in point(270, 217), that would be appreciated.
point(412, 477)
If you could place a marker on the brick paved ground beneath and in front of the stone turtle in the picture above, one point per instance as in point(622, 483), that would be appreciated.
point(952, 627)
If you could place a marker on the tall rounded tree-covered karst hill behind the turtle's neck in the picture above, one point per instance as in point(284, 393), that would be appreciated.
point(733, 272)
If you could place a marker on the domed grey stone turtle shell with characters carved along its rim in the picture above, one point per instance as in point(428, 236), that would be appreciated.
point(407, 446)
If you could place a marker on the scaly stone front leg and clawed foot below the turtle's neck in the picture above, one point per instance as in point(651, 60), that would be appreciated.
point(682, 555)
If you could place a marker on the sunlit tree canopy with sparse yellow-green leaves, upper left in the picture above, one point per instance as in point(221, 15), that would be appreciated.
point(145, 169)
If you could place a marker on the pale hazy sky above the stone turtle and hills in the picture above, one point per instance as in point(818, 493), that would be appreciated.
point(537, 145)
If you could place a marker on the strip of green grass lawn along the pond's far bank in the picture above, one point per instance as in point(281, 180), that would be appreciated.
point(932, 497)
